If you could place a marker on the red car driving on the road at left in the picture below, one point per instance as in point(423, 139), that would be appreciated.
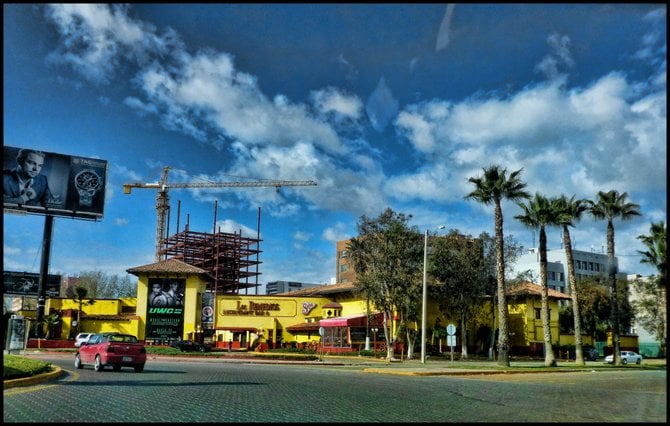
point(115, 349)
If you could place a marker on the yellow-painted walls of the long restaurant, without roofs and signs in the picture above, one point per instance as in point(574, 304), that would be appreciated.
point(278, 312)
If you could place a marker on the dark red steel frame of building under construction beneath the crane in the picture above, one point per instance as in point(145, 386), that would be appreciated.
point(230, 259)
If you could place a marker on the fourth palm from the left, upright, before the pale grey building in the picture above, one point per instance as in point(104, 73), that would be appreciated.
point(609, 206)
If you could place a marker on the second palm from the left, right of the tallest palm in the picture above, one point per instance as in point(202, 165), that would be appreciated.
point(538, 213)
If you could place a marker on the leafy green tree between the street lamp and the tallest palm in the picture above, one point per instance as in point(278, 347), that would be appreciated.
point(457, 264)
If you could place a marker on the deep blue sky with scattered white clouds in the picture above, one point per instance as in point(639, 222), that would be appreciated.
point(383, 105)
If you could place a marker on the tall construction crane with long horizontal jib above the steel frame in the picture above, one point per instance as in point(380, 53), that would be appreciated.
point(162, 199)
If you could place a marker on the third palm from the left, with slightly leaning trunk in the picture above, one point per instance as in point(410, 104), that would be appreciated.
point(566, 212)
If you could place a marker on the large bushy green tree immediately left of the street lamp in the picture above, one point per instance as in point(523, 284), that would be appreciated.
point(387, 259)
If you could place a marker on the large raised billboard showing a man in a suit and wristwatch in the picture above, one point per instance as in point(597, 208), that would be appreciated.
point(42, 182)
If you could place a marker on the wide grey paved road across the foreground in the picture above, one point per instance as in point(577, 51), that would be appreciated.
point(218, 391)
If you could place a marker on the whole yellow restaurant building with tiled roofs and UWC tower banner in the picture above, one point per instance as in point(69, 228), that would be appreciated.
point(259, 322)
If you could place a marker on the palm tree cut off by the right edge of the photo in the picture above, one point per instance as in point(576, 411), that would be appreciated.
point(655, 255)
